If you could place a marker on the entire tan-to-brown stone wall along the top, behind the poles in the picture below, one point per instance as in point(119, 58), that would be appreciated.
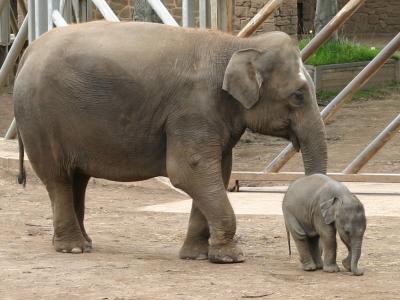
point(374, 17)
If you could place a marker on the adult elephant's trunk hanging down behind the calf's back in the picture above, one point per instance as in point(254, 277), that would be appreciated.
point(312, 139)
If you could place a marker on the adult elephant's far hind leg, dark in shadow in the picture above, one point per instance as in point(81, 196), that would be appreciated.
point(79, 187)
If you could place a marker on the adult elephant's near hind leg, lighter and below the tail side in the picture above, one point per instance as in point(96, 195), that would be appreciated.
point(68, 236)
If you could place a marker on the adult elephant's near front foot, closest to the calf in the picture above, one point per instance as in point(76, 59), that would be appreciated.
point(225, 254)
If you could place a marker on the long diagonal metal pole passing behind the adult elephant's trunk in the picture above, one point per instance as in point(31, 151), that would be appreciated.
point(343, 96)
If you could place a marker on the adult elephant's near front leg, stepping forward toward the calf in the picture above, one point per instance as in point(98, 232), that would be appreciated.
point(198, 172)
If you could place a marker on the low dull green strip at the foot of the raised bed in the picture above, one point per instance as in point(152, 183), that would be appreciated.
point(324, 97)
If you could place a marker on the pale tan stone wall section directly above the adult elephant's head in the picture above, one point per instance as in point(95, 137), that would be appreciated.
point(284, 19)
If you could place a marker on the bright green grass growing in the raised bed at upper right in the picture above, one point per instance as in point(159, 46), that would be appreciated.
point(341, 52)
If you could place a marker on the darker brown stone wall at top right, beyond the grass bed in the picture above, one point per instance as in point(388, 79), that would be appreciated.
point(375, 17)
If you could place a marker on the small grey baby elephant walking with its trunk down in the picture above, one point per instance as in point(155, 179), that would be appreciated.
point(315, 207)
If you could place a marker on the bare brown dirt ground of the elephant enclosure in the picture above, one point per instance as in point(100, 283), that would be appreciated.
point(135, 252)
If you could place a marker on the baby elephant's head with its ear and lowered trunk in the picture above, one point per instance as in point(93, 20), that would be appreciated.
point(347, 214)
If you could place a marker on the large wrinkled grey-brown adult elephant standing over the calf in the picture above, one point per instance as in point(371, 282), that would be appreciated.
point(131, 101)
